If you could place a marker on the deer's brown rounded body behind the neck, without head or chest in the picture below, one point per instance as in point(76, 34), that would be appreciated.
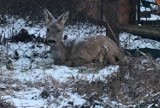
point(99, 48)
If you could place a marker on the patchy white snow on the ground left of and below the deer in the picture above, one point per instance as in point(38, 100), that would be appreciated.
point(29, 71)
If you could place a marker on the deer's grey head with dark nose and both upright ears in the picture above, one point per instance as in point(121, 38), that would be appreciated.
point(54, 33)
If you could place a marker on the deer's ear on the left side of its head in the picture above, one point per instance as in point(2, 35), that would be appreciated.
point(48, 16)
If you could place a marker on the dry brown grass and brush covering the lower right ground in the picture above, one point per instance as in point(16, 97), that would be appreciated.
point(136, 82)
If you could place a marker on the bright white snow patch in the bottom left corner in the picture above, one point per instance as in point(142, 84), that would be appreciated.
point(26, 98)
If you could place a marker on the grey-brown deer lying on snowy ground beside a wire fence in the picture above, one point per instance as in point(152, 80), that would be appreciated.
point(97, 49)
